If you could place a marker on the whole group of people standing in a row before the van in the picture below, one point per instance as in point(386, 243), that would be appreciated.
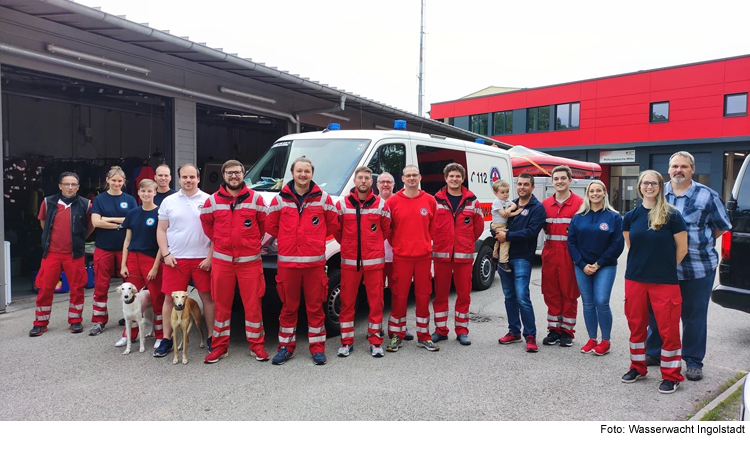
point(395, 238)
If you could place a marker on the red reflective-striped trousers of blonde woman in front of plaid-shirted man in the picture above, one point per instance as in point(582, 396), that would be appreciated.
point(666, 302)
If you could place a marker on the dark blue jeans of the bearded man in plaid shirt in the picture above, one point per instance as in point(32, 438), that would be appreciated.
point(696, 294)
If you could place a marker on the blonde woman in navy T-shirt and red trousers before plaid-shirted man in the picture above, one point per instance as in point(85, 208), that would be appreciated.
point(656, 235)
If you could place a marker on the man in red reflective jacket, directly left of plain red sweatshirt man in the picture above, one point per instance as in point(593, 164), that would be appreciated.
point(365, 223)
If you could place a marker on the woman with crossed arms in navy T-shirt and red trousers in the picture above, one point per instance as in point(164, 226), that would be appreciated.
point(107, 214)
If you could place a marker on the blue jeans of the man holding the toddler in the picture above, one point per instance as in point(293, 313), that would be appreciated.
point(517, 297)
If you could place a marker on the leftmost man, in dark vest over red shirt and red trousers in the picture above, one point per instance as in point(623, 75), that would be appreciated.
point(66, 220)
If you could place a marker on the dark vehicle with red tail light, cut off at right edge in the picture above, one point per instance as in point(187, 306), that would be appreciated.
point(733, 290)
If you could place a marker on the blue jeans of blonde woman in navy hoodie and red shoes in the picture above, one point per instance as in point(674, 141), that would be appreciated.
point(595, 292)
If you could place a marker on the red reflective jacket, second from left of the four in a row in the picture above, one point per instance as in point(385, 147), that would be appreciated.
point(301, 229)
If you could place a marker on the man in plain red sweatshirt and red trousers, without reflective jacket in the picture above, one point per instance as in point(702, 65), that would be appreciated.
point(413, 225)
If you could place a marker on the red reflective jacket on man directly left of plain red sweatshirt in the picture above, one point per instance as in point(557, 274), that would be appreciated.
point(364, 226)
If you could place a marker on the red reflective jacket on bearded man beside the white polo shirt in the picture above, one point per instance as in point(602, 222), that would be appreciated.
point(235, 225)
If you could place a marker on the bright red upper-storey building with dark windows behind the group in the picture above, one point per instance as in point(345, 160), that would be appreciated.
point(627, 123)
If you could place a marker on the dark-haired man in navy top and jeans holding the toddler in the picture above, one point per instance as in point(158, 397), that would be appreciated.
point(522, 231)
